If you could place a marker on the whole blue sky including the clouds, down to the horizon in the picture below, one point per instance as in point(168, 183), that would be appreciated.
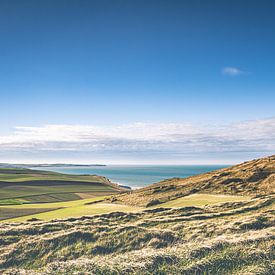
point(92, 68)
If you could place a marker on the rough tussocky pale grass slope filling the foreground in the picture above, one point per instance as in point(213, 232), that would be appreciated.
point(231, 238)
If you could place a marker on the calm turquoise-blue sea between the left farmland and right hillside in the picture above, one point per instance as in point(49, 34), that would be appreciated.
point(137, 176)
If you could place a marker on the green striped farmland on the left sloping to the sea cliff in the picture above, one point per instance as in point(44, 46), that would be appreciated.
point(25, 185)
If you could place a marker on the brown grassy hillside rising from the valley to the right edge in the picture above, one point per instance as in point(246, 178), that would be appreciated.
point(256, 177)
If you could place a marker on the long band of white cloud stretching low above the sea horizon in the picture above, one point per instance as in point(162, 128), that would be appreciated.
point(144, 138)
